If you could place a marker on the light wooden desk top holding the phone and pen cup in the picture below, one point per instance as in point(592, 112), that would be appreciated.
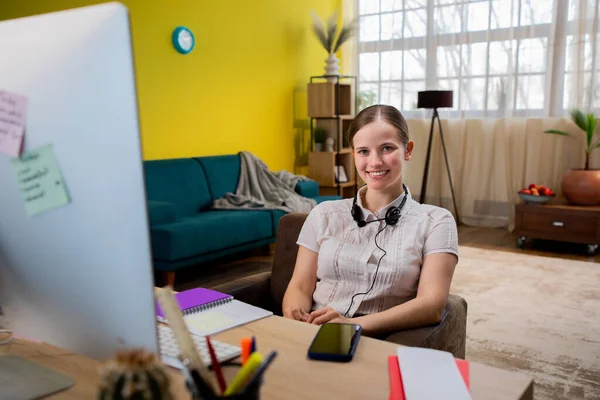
point(292, 375)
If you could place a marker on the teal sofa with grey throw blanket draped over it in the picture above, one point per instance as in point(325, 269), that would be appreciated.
point(185, 231)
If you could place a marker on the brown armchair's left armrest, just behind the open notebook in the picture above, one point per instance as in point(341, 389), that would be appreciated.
point(254, 289)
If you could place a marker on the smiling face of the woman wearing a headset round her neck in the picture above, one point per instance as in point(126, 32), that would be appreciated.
point(379, 155)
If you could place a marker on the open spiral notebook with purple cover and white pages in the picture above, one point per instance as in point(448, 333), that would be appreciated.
point(207, 311)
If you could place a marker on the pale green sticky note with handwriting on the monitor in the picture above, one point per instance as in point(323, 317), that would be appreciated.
point(41, 183)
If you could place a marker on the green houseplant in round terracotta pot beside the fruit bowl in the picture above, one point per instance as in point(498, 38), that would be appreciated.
point(582, 186)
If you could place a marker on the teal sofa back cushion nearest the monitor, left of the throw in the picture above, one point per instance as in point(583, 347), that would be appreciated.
point(180, 182)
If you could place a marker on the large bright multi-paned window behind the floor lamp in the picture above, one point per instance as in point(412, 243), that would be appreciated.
point(494, 54)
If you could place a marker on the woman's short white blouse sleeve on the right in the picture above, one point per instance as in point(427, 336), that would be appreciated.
point(442, 235)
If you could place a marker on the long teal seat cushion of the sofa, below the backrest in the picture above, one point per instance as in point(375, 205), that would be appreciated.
point(209, 231)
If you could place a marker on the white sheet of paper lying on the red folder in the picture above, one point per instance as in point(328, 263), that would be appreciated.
point(430, 375)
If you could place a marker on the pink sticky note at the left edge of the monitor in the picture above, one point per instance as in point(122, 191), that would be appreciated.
point(13, 113)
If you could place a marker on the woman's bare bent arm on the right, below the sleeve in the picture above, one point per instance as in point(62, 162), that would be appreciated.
point(426, 308)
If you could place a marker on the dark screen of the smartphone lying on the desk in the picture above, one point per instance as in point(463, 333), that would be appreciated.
point(336, 339)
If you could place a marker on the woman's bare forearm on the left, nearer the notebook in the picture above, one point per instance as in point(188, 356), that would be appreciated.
point(297, 301)
